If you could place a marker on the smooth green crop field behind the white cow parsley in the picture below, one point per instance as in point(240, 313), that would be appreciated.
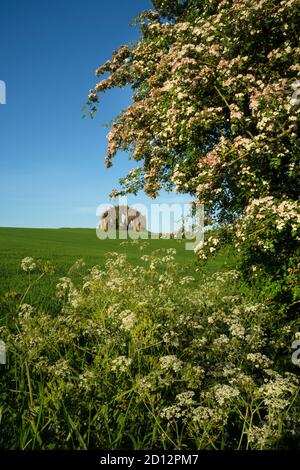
point(62, 247)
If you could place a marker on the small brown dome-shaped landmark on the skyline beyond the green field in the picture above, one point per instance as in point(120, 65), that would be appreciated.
point(122, 218)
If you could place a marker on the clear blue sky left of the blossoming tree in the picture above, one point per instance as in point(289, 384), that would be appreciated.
point(51, 160)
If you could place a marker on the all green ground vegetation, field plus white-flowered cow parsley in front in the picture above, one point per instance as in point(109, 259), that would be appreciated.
point(154, 352)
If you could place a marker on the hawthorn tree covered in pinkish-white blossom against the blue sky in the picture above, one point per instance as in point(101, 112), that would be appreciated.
point(215, 113)
